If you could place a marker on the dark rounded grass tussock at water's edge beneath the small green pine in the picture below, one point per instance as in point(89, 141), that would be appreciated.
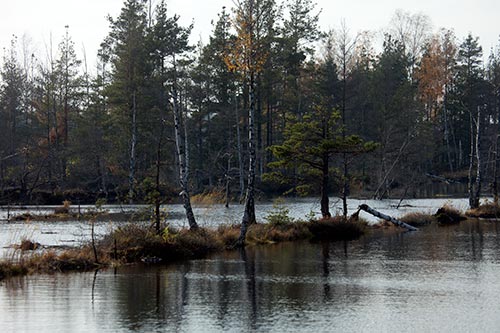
point(336, 228)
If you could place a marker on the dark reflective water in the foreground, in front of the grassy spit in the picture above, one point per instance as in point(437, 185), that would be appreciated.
point(440, 279)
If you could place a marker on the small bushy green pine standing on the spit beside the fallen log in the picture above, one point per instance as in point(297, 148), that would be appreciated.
point(312, 141)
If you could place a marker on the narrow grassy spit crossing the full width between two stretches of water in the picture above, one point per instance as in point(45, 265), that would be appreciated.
point(138, 242)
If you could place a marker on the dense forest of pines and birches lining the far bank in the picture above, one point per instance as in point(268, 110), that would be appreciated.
point(157, 112)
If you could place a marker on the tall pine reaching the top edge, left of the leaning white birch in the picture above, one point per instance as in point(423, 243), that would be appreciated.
point(127, 97)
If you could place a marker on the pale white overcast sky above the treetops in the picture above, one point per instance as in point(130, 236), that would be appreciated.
point(39, 19)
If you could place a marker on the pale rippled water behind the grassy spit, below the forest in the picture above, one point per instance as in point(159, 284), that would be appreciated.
point(72, 233)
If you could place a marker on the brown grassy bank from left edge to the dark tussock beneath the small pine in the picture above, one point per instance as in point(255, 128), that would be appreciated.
point(135, 242)
